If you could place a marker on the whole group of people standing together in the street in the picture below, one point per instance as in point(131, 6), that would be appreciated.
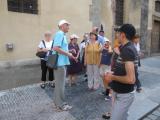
point(115, 69)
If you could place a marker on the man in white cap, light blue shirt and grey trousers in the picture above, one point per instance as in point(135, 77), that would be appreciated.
point(61, 46)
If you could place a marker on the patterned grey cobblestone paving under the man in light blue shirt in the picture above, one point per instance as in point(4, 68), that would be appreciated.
point(34, 103)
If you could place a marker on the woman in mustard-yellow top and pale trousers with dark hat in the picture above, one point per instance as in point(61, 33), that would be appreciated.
point(92, 61)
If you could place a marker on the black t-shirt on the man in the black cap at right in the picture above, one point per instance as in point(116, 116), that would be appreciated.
point(127, 53)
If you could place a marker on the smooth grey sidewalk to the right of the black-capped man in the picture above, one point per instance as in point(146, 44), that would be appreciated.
point(149, 99)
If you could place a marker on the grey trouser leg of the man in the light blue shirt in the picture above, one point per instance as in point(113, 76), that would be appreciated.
point(60, 75)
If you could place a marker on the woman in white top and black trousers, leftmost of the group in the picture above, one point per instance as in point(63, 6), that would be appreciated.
point(45, 46)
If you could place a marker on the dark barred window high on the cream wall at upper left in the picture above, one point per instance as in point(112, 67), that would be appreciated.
point(23, 6)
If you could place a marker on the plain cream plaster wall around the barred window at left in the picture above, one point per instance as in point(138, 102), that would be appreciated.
point(26, 30)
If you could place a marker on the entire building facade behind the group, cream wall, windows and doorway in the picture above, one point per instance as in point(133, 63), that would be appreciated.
point(23, 22)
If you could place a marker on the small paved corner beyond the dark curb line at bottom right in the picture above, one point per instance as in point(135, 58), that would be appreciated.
point(154, 115)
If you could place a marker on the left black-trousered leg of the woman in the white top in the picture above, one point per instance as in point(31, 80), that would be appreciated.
point(44, 73)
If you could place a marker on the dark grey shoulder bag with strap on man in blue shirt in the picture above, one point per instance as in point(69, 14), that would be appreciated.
point(52, 59)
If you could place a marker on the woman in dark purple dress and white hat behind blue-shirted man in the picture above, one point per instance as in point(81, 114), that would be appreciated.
point(74, 66)
